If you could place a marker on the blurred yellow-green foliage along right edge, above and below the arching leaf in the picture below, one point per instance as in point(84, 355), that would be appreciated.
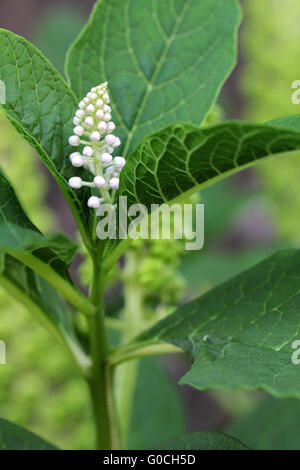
point(270, 49)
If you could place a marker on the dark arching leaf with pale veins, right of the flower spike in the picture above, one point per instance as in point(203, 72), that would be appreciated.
point(182, 159)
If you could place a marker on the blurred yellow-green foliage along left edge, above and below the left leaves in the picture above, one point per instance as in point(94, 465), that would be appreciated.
point(38, 389)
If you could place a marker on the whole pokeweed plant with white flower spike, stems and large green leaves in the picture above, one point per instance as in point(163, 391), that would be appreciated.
point(142, 78)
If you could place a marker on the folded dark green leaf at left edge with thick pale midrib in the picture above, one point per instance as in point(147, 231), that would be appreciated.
point(47, 256)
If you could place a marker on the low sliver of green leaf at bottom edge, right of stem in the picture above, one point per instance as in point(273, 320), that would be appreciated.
point(204, 440)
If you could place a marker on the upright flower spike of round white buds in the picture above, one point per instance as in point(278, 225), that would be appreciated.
point(93, 134)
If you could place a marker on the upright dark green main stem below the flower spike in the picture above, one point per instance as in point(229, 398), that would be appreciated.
point(100, 382)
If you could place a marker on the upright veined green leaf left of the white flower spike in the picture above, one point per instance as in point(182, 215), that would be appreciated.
point(41, 107)
